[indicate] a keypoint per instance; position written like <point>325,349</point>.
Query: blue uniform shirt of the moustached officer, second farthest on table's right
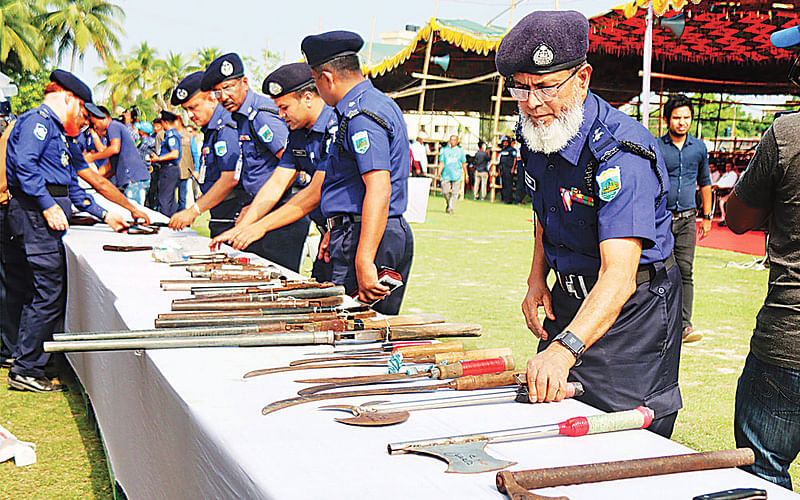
<point>260,143</point>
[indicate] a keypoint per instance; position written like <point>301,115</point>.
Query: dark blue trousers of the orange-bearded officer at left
<point>36,274</point>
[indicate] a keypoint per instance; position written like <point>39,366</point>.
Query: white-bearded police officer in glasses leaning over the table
<point>599,185</point>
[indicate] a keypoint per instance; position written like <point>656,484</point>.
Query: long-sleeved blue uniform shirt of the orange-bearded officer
<point>38,154</point>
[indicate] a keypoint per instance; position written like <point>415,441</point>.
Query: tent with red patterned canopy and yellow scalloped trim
<point>724,47</point>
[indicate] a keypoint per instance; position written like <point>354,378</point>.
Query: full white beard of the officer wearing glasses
<point>551,138</point>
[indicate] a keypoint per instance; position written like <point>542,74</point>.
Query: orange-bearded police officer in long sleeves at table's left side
<point>43,183</point>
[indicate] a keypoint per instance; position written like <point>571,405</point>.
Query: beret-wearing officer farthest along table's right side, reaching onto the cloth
<point>219,157</point>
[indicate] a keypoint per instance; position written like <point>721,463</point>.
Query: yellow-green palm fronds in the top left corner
<point>19,41</point>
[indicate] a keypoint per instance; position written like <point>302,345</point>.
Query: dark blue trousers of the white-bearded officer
<point>636,362</point>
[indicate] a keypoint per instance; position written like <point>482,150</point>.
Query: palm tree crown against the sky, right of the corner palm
<point>76,24</point>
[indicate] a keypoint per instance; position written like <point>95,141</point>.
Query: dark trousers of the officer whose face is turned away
<point>395,251</point>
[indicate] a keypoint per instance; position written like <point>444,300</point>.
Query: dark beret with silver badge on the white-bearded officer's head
<point>544,42</point>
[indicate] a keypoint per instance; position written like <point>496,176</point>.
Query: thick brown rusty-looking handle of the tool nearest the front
<point>624,469</point>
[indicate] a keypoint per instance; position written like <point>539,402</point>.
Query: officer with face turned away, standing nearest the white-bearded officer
<point>363,190</point>
